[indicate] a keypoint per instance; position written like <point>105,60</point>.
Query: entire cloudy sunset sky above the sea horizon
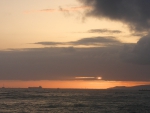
<point>74,43</point>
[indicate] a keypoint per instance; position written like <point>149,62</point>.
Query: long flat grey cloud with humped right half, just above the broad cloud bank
<point>99,41</point>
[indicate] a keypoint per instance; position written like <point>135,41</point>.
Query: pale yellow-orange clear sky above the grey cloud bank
<point>26,22</point>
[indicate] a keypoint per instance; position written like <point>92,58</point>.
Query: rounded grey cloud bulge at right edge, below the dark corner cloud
<point>140,53</point>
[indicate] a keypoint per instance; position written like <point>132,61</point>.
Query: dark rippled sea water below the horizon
<point>74,101</point>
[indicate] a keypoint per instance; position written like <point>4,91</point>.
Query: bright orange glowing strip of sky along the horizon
<point>76,84</point>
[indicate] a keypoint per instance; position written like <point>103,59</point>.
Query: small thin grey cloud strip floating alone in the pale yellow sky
<point>104,31</point>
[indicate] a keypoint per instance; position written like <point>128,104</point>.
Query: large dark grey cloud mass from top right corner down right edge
<point>135,14</point>
